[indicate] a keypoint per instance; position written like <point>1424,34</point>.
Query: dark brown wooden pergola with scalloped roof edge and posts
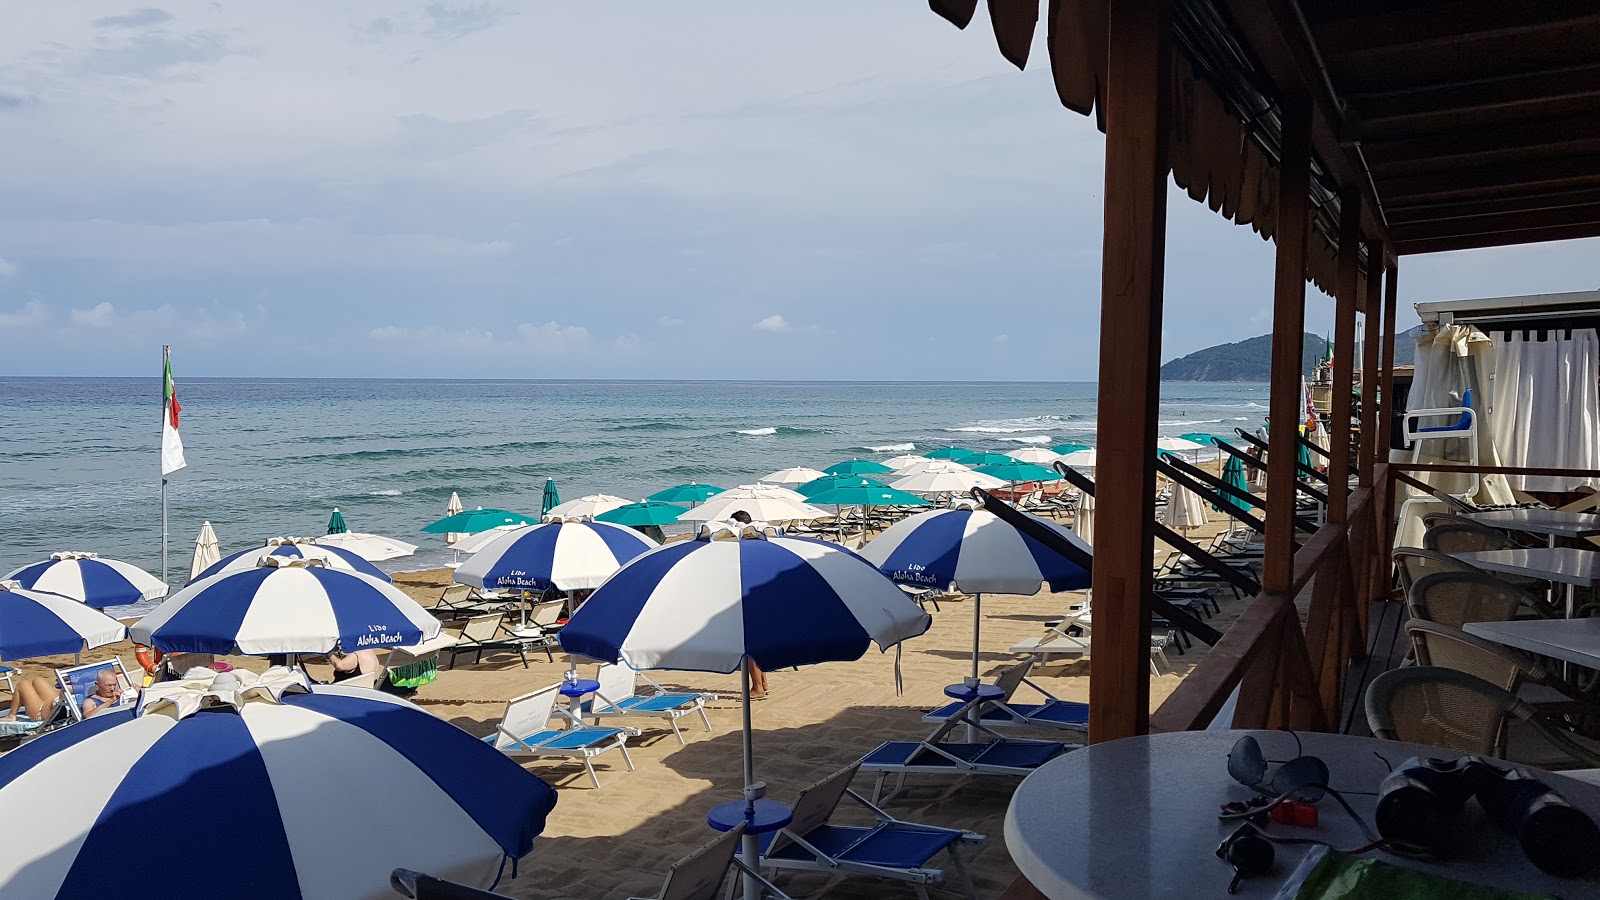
<point>1351,134</point>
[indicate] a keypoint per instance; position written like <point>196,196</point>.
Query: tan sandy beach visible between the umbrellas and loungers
<point>622,840</point>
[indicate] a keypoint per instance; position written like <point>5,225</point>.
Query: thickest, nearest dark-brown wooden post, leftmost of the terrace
<point>1132,271</point>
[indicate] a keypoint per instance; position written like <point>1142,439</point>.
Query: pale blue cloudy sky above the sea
<point>628,190</point>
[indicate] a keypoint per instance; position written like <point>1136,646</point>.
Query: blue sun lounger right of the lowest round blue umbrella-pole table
<point>889,848</point>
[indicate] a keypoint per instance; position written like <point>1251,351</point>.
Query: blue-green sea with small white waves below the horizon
<point>274,457</point>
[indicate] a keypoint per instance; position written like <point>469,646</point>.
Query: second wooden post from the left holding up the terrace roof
<point>1289,337</point>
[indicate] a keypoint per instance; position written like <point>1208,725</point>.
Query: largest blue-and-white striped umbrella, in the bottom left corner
<point>319,794</point>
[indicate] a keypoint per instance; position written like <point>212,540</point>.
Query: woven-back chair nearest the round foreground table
<point>1465,713</point>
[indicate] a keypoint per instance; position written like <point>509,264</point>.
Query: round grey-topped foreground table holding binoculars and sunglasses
<point>1138,819</point>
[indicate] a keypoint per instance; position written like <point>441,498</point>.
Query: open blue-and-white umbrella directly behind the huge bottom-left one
<point>286,606</point>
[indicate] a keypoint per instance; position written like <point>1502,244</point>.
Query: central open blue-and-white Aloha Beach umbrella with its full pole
<point>710,606</point>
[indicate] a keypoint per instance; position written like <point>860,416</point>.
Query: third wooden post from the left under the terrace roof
<point>1348,291</point>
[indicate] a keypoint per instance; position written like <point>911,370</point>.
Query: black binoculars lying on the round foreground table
<point>1418,803</point>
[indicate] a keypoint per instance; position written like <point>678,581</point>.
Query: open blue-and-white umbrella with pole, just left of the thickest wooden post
<point>975,552</point>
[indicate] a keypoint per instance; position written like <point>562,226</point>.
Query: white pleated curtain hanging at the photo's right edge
<point>1546,406</point>
